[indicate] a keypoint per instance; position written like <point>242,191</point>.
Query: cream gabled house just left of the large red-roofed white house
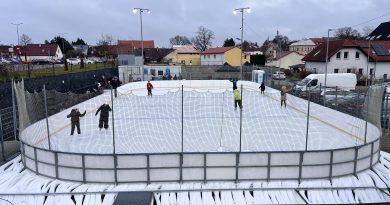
<point>285,59</point>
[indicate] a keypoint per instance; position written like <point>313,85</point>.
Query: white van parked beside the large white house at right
<point>346,81</point>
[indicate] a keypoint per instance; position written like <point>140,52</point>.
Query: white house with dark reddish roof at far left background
<point>41,51</point>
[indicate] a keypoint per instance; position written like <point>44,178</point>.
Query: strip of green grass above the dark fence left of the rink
<point>49,71</point>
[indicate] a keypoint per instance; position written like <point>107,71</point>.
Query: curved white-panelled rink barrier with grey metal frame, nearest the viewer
<point>200,166</point>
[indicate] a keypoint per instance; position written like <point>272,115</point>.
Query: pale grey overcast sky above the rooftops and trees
<point>89,19</point>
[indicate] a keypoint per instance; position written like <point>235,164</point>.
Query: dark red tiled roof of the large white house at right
<point>319,53</point>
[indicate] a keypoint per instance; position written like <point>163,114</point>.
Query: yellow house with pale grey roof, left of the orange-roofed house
<point>184,55</point>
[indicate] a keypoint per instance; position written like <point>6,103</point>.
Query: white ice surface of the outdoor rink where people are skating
<point>145,124</point>
